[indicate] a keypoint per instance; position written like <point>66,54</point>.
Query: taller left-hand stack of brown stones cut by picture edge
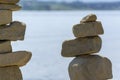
<point>11,31</point>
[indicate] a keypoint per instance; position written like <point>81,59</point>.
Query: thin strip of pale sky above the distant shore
<point>84,0</point>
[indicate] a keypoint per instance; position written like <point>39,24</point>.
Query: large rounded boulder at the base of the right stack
<point>90,67</point>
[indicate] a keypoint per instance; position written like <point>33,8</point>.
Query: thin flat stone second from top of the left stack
<point>12,7</point>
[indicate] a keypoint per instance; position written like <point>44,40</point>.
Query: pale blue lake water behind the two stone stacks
<point>47,30</point>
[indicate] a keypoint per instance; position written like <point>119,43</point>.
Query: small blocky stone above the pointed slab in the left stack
<point>5,47</point>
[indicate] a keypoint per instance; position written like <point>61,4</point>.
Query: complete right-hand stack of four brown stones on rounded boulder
<point>87,65</point>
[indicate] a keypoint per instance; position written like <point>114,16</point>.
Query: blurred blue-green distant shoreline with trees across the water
<point>44,5</point>
